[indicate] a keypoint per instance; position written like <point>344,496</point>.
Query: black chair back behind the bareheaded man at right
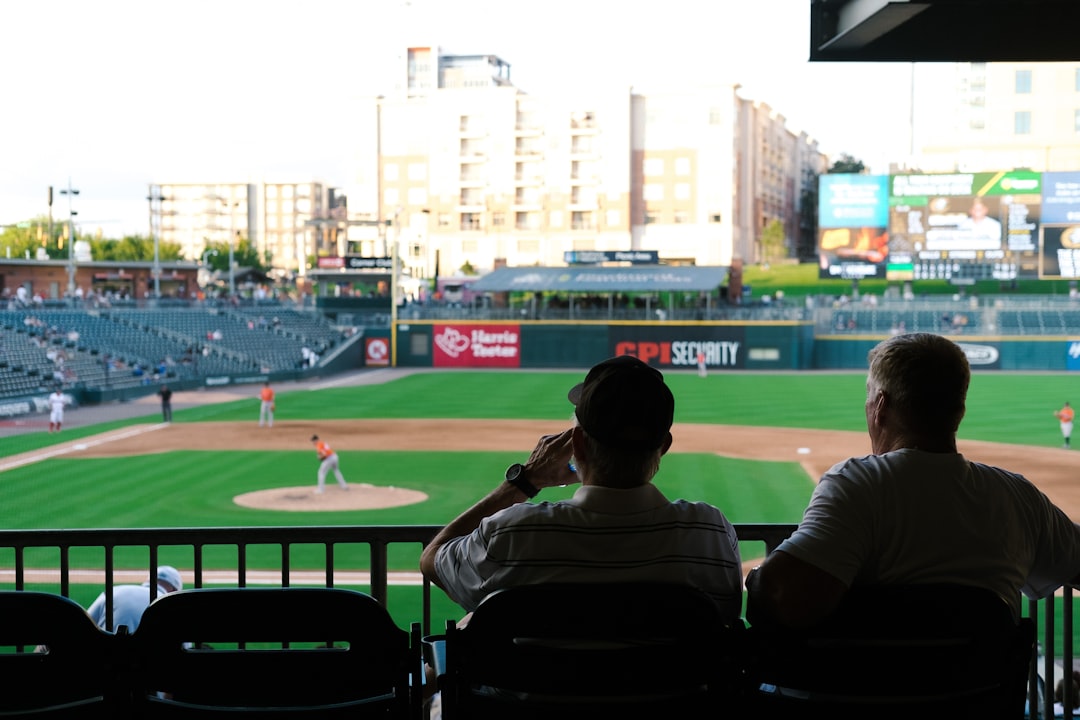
<point>917,651</point>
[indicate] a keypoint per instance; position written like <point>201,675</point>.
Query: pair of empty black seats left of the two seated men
<point>263,653</point>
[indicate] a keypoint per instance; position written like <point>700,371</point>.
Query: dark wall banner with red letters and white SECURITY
<point>677,348</point>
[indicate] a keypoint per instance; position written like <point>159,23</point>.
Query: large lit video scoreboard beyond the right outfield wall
<point>960,227</point>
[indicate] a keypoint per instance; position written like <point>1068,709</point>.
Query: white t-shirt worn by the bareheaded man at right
<point>914,518</point>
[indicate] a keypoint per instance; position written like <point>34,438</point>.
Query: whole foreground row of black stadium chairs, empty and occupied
<point>566,651</point>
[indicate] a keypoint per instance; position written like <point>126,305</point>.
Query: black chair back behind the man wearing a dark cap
<point>570,651</point>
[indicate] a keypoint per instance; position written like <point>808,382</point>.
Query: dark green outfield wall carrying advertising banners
<point>765,346</point>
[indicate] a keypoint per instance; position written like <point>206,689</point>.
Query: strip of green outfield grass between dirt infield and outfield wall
<point>1003,407</point>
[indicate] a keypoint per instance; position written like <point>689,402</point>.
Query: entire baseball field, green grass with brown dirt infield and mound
<point>420,447</point>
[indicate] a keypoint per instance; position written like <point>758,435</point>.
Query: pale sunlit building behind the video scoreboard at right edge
<point>1001,116</point>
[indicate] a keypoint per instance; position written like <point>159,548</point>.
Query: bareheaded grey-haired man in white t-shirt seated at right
<point>885,519</point>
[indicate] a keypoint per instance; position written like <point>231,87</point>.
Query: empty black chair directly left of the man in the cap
<point>268,653</point>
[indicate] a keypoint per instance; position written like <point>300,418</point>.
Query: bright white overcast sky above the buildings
<point>117,94</point>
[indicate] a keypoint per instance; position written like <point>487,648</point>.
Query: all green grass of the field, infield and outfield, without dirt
<point>196,488</point>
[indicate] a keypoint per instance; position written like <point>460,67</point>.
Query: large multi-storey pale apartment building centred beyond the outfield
<point>471,171</point>
